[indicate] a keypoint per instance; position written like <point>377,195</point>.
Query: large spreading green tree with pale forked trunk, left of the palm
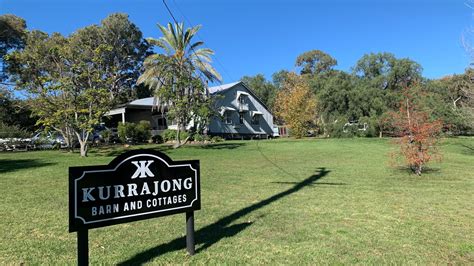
<point>74,80</point>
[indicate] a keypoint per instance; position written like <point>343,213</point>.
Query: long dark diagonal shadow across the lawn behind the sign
<point>213,233</point>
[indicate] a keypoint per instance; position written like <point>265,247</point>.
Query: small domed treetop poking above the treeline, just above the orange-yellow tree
<point>315,62</point>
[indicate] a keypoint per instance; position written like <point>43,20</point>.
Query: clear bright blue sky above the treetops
<point>251,37</point>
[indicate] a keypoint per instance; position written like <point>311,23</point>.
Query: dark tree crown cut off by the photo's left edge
<point>12,36</point>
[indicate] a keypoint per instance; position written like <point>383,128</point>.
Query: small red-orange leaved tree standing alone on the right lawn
<point>418,134</point>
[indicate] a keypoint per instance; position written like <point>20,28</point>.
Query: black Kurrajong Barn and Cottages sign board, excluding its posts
<point>136,185</point>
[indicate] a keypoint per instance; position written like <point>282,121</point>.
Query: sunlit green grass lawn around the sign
<point>284,201</point>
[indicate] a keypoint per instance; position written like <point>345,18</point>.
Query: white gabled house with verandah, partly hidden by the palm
<point>240,113</point>
